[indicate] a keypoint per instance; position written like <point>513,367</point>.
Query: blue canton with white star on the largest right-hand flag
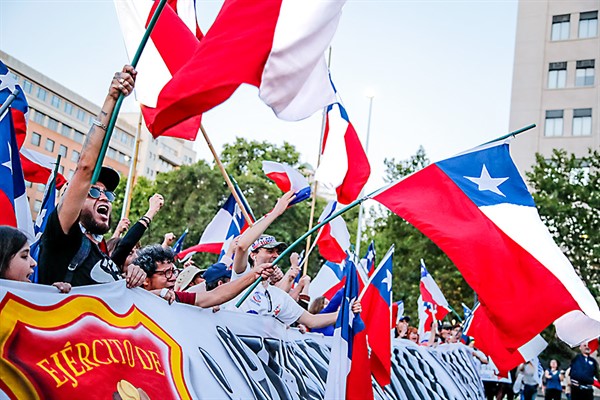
<point>488,177</point>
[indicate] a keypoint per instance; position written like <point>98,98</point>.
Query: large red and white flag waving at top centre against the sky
<point>277,46</point>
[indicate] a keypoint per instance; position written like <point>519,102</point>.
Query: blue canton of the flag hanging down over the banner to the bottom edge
<point>349,327</point>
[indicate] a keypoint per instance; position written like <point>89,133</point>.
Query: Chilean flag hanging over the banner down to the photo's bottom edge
<point>349,375</point>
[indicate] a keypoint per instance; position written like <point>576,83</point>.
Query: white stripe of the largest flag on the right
<point>524,226</point>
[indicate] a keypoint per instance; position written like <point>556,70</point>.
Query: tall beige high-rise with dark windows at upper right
<point>534,94</point>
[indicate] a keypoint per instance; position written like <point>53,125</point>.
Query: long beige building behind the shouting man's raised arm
<point>60,119</point>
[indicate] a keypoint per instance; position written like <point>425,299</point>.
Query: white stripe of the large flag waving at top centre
<point>297,64</point>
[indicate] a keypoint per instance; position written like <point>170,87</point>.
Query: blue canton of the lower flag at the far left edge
<point>11,174</point>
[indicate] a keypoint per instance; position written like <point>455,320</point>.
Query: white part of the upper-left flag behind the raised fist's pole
<point>153,74</point>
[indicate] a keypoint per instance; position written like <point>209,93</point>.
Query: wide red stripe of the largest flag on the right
<point>510,282</point>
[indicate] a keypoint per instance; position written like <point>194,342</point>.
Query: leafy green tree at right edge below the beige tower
<point>566,190</point>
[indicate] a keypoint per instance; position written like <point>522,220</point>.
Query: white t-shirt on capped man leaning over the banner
<point>271,301</point>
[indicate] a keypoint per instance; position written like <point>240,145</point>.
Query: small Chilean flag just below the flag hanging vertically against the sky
<point>333,239</point>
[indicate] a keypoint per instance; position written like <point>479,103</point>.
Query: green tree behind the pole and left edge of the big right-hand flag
<point>411,245</point>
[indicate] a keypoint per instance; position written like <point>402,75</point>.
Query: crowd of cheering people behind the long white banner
<point>74,252</point>
